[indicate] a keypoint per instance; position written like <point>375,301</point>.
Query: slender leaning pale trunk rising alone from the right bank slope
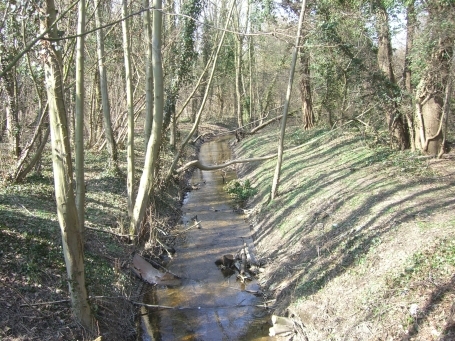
<point>276,177</point>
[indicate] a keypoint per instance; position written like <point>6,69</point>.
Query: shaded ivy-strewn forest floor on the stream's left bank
<point>34,298</point>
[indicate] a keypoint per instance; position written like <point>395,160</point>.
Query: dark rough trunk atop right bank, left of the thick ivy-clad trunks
<point>400,139</point>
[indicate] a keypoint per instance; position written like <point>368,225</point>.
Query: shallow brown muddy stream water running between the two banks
<point>214,305</point>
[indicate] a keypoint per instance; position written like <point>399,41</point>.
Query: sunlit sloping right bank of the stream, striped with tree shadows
<point>360,242</point>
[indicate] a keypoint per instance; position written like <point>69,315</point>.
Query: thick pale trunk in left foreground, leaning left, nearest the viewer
<point>63,173</point>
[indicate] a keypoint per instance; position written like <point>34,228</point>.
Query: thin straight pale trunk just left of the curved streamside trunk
<point>130,105</point>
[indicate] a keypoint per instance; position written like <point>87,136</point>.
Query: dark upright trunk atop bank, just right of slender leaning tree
<point>305,91</point>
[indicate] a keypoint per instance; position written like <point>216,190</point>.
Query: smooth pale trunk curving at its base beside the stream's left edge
<point>153,147</point>
